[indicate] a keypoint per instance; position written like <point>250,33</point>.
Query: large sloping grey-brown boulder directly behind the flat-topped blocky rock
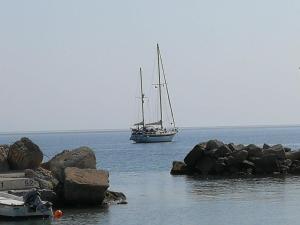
<point>83,158</point>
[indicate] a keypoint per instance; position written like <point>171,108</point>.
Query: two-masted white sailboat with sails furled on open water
<point>154,131</point>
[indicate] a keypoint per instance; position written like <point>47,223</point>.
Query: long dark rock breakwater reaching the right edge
<point>214,158</point>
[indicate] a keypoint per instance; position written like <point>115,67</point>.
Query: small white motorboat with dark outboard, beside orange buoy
<point>14,207</point>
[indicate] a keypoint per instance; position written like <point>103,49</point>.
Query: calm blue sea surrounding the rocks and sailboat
<point>142,173</point>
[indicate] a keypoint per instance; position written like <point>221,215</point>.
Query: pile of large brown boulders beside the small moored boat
<point>69,178</point>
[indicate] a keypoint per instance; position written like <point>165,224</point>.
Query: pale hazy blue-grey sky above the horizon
<point>73,65</point>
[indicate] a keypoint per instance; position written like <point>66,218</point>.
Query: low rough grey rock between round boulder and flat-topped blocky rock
<point>44,177</point>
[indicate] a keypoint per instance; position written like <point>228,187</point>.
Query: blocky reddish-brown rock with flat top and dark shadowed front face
<point>85,186</point>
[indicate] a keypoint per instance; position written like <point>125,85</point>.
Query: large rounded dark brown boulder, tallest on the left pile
<point>24,154</point>
